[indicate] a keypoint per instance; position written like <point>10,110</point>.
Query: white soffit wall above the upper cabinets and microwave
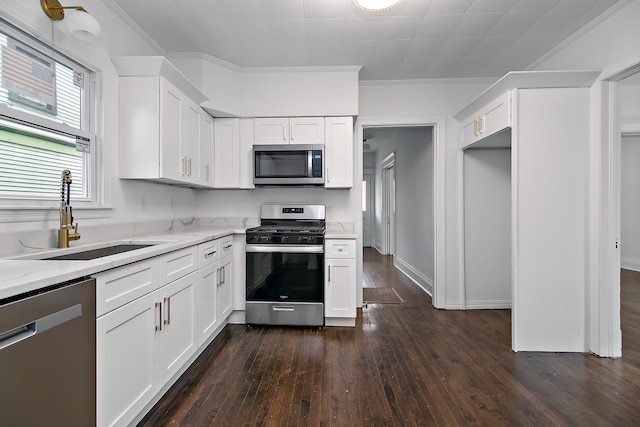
<point>272,92</point>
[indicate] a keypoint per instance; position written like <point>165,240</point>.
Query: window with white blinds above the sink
<point>45,120</point>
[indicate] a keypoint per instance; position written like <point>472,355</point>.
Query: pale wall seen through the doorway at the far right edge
<point>630,203</point>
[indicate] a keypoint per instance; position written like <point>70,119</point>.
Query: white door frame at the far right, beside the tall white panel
<point>603,302</point>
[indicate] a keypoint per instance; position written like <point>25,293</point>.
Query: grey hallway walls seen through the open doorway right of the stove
<point>403,219</point>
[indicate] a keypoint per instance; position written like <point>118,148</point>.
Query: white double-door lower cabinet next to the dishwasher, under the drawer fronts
<point>141,345</point>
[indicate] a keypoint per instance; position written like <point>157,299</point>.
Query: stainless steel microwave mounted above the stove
<point>288,164</point>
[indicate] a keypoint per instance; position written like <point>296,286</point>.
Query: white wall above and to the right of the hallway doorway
<point>418,101</point>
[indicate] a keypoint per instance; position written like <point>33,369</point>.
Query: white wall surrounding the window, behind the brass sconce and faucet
<point>117,39</point>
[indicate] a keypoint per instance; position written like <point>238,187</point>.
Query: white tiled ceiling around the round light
<point>417,39</point>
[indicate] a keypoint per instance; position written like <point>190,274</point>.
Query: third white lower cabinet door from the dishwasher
<point>208,319</point>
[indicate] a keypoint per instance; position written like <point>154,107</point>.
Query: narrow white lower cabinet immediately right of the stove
<point>340,282</point>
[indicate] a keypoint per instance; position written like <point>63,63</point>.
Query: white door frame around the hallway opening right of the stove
<point>438,122</point>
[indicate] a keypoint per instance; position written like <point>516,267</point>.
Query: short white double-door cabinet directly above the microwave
<point>295,130</point>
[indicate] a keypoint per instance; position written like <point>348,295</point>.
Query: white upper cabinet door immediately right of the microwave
<point>338,152</point>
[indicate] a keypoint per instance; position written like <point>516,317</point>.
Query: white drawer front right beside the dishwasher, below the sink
<point>117,287</point>
